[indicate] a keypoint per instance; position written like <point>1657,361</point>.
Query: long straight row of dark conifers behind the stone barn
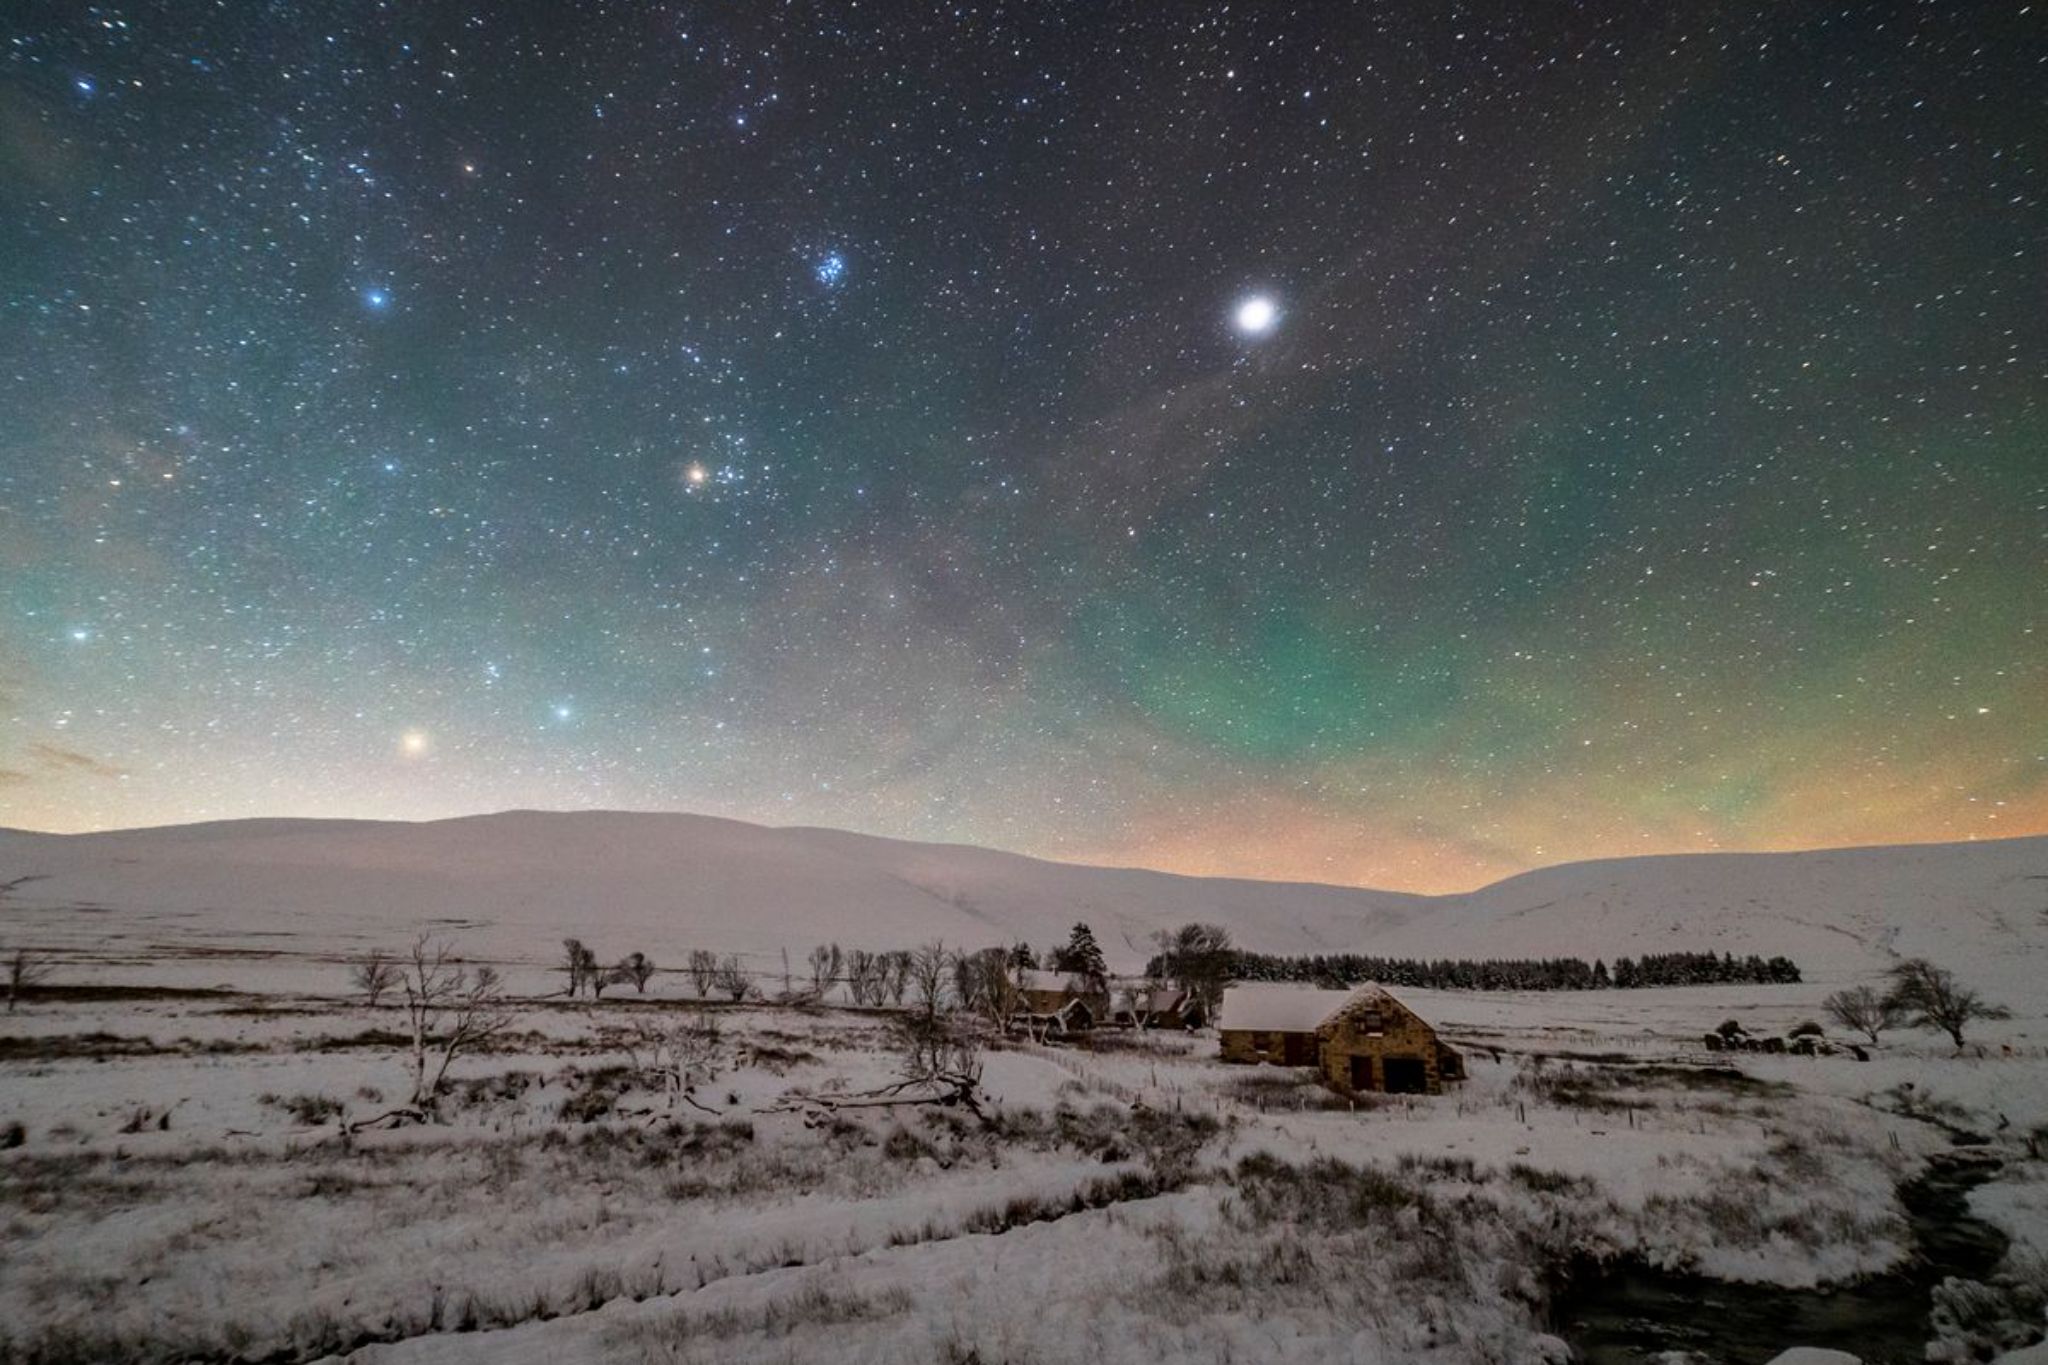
<point>1514,973</point>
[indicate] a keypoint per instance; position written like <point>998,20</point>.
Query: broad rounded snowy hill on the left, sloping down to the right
<point>521,881</point>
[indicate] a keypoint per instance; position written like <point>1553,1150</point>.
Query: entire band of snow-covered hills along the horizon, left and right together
<point>517,883</point>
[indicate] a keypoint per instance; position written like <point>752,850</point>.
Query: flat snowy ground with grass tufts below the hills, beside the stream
<point>181,1188</point>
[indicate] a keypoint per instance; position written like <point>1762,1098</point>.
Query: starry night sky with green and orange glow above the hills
<point>1369,443</point>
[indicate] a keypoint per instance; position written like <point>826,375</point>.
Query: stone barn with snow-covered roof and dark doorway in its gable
<point>1359,1041</point>
